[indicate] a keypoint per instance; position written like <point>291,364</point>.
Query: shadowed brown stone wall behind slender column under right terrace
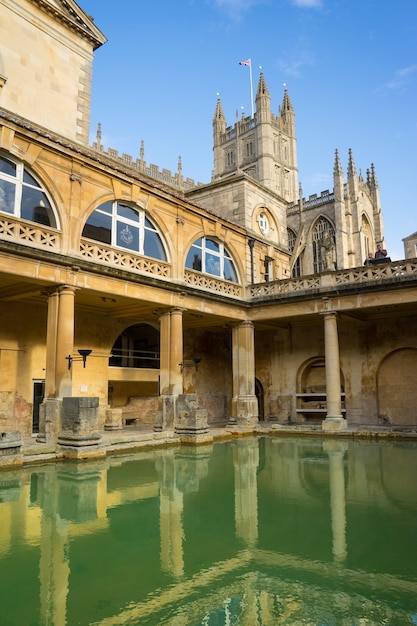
<point>377,368</point>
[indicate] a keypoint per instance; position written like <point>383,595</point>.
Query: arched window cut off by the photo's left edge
<point>22,196</point>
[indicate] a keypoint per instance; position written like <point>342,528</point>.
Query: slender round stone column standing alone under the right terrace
<point>334,419</point>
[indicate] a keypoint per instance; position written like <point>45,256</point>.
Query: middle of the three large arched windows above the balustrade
<point>119,224</point>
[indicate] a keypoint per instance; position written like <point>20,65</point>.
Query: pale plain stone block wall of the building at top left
<point>49,82</point>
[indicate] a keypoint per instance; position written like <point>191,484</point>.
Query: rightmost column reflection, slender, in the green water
<point>336,452</point>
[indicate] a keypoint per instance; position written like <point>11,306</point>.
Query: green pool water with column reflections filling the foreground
<point>251,532</point>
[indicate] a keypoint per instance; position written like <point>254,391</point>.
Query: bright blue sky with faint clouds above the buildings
<point>350,67</point>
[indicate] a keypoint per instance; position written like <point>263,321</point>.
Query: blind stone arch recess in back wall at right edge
<point>396,388</point>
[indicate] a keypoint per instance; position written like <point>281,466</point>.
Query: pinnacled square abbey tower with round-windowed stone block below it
<point>255,179</point>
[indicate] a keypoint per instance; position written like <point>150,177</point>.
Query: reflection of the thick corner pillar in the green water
<point>246,461</point>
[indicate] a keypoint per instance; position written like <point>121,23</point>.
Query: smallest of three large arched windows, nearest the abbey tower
<point>211,257</point>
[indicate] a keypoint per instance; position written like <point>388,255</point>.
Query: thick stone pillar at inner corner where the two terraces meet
<point>244,402</point>
